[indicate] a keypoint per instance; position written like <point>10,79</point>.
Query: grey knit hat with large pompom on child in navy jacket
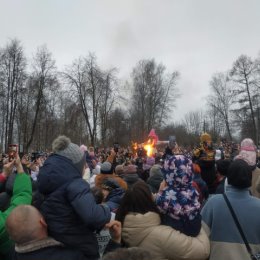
<point>63,146</point>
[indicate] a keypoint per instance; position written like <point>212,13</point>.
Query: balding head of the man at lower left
<point>26,224</point>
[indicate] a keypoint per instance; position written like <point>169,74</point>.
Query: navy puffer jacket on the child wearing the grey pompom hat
<point>69,207</point>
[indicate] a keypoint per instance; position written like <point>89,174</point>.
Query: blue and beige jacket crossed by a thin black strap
<point>226,242</point>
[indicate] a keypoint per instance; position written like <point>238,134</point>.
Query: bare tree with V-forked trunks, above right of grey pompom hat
<point>91,85</point>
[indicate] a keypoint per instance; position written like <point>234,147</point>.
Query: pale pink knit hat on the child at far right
<point>247,152</point>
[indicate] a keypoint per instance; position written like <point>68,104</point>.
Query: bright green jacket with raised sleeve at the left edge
<point>22,194</point>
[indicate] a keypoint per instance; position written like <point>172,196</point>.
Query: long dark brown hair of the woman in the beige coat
<point>137,199</point>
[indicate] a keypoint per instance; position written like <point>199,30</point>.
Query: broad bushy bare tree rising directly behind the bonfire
<point>154,94</point>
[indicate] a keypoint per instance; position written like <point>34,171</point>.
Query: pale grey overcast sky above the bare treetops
<point>195,37</point>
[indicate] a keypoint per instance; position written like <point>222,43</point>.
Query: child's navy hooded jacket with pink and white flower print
<point>179,199</point>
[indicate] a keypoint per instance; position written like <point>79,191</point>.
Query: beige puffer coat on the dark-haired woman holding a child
<point>163,242</point>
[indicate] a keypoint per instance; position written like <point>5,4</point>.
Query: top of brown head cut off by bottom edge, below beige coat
<point>132,253</point>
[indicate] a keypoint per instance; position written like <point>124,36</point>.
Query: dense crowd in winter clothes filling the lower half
<point>83,203</point>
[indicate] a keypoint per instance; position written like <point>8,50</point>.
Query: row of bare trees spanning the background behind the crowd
<point>93,106</point>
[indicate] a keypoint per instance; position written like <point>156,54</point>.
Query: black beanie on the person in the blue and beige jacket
<point>239,174</point>
